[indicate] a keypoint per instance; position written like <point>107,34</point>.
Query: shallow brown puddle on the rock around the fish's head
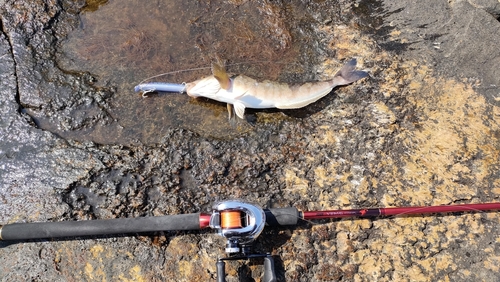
<point>125,42</point>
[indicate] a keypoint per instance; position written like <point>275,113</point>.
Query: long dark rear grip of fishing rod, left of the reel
<point>42,230</point>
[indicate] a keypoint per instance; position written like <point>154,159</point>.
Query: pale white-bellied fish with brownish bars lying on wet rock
<point>241,92</point>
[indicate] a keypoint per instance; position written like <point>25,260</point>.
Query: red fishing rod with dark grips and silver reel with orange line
<point>238,221</point>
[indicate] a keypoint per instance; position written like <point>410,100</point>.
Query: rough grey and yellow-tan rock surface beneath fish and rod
<point>422,130</point>
